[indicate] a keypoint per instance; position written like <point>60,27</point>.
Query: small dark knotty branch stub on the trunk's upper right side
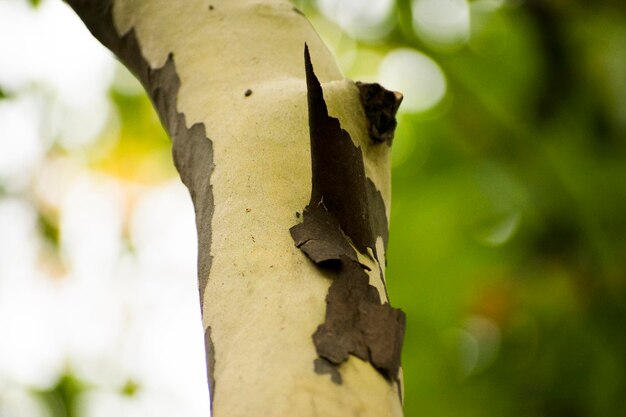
<point>380,106</point>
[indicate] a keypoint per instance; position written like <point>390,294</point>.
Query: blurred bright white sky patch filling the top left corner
<point>50,49</point>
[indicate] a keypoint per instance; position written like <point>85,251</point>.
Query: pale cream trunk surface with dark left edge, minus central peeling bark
<point>227,78</point>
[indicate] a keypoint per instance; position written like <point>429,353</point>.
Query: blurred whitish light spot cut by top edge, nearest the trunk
<point>362,20</point>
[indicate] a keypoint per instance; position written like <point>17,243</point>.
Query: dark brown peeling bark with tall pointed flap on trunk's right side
<point>346,209</point>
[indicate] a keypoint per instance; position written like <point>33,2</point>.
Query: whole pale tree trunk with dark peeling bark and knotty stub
<point>290,184</point>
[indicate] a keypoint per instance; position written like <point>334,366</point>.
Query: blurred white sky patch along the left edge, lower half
<point>27,313</point>
